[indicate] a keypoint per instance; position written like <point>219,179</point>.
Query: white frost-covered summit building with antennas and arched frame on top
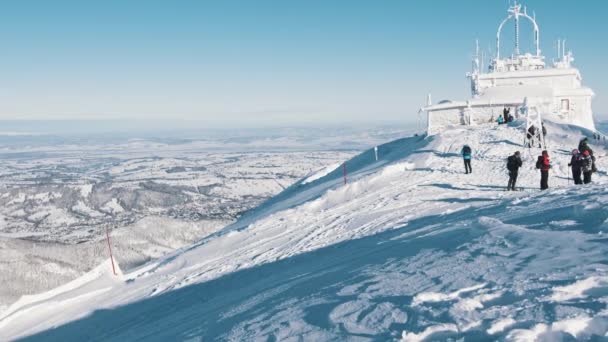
<point>522,82</point>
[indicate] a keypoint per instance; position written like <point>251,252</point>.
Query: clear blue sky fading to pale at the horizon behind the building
<point>259,62</point>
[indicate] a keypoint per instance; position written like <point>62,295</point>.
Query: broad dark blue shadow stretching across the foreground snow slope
<point>201,310</point>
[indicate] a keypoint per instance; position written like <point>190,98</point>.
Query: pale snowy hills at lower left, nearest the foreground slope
<point>29,267</point>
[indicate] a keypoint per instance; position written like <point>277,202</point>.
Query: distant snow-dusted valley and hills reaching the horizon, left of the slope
<point>55,206</point>
